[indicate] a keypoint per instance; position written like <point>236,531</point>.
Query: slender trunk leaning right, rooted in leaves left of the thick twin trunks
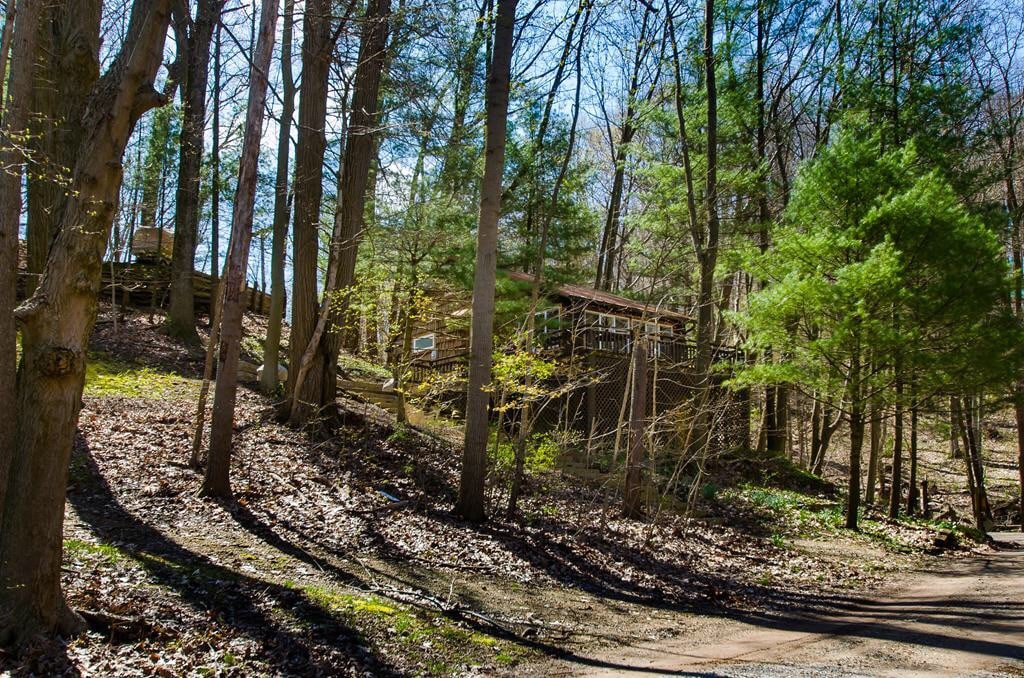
<point>218,482</point>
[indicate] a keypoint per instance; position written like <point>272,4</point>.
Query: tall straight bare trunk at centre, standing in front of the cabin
<point>471,504</point>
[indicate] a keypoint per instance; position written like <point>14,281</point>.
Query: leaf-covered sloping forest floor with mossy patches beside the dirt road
<point>316,569</point>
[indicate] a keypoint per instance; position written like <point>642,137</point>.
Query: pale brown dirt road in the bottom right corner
<point>965,621</point>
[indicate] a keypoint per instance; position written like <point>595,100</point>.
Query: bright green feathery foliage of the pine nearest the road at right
<point>877,257</point>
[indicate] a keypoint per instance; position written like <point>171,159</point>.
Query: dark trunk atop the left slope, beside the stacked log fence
<point>182,312</point>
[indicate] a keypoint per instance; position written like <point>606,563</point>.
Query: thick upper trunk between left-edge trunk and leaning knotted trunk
<point>67,69</point>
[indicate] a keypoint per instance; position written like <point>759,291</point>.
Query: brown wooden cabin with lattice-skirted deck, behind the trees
<point>595,331</point>
